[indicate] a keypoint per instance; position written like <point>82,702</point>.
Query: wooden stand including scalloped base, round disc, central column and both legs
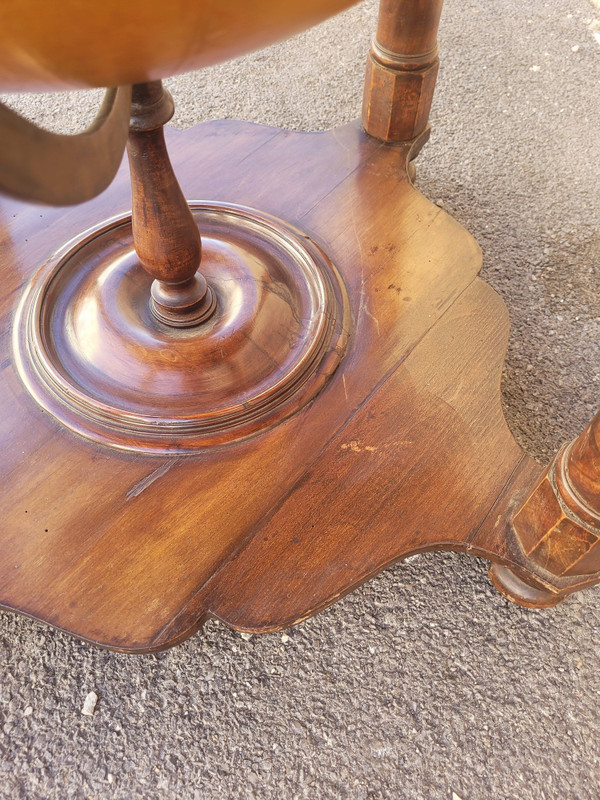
<point>244,408</point>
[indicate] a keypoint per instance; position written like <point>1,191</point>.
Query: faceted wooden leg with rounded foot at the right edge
<point>558,527</point>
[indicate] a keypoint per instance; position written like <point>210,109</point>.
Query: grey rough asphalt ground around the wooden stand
<point>425,682</point>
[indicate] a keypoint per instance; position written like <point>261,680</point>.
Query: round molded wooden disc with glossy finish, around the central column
<point>91,352</point>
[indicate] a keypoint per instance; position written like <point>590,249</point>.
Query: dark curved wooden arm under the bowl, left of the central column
<point>45,167</point>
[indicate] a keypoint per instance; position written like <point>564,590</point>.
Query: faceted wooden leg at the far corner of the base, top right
<point>402,68</point>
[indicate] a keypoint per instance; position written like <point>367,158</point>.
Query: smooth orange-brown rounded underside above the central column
<point>72,43</point>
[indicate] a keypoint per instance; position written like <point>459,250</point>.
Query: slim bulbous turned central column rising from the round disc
<point>165,235</point>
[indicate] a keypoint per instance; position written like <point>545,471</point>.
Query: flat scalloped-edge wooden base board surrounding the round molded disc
<point>403,450</point>
